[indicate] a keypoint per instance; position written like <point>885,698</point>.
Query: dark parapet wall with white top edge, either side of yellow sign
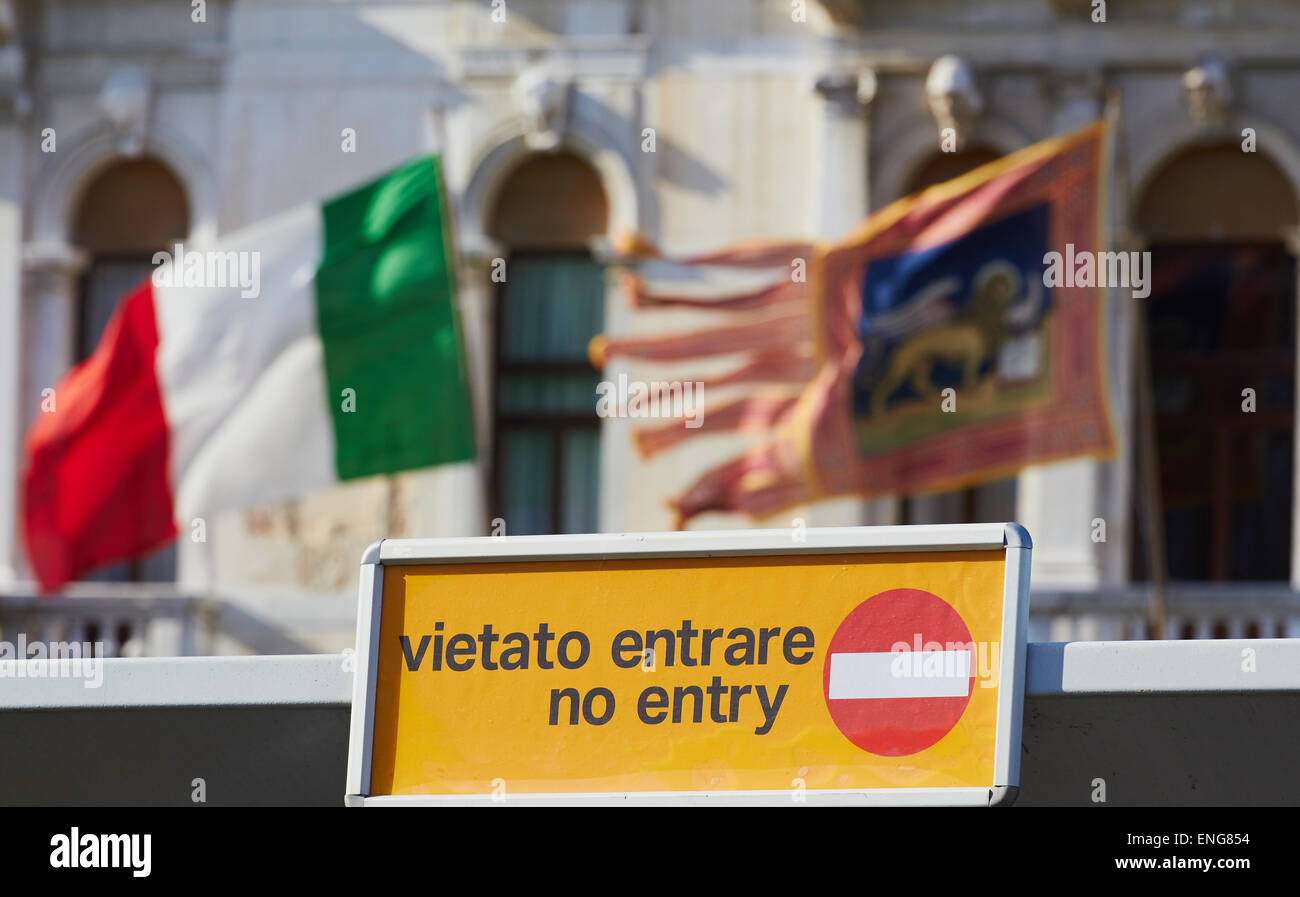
<point>1176,723</point>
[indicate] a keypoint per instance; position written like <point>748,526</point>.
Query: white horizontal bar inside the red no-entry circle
<point>900,675</point>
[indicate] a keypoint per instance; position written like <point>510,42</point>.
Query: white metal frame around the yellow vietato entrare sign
<point>831,540</point>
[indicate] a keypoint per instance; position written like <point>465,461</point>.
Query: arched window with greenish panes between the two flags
<point>549,306</point>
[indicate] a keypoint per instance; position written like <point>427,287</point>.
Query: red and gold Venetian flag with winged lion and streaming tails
<point>929,349</point>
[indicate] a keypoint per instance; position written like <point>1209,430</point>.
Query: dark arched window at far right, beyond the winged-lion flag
<point>1221,320</point>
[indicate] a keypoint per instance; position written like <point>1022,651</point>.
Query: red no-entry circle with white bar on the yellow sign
<point>891,701</point>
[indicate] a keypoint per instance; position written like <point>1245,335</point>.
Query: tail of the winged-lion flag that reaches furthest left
<point>768,335</point>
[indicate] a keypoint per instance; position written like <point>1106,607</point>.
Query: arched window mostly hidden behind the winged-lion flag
<point>987,502</point>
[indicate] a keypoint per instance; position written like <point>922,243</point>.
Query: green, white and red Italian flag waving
<point>215,389</point>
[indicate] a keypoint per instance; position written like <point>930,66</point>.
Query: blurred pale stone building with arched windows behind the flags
<point>129,125</point>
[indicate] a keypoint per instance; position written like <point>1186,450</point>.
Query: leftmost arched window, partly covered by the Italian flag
<point>127,214</point>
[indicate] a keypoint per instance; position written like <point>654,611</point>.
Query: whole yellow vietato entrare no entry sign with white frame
<point>842,665</point>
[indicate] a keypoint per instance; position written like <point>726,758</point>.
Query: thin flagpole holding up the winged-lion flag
<point>1149,457</point>
